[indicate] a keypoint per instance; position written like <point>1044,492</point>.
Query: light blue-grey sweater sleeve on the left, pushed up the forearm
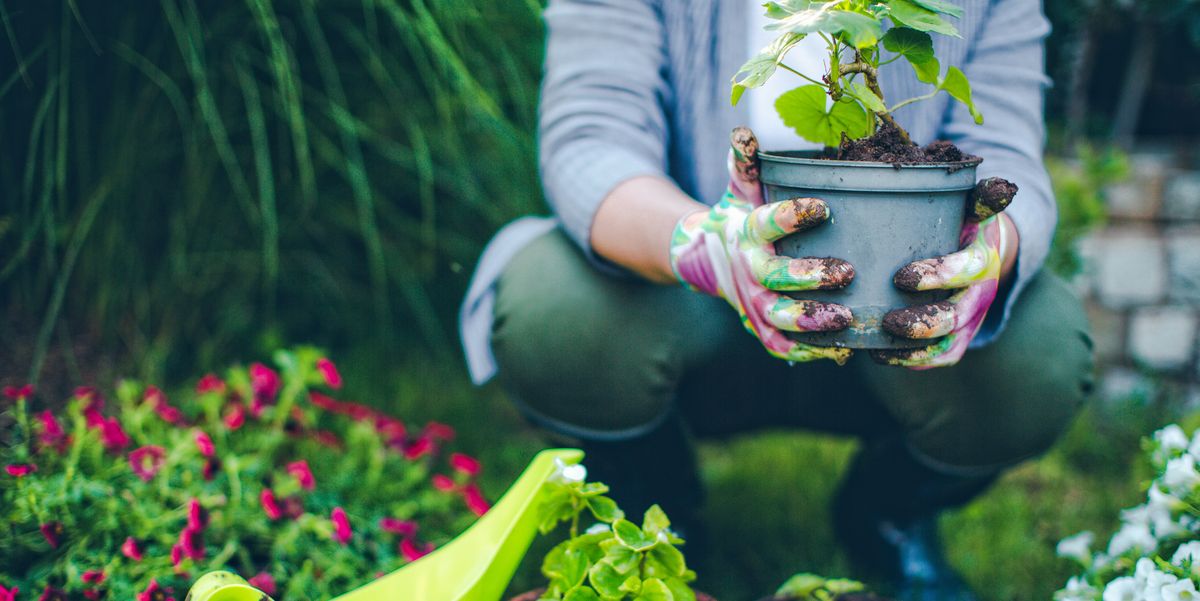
<point>602,117</point>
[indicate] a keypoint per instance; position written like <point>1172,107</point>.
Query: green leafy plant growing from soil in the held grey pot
<point>847,101</point>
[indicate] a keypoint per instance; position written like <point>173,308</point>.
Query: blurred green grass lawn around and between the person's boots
<point>769,492</point>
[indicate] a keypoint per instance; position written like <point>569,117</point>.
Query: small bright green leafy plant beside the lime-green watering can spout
<point>616,560</point>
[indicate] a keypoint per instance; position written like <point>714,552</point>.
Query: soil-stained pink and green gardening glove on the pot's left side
<point>729,251</point>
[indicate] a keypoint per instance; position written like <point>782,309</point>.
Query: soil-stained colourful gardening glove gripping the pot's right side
<point>974,273</point>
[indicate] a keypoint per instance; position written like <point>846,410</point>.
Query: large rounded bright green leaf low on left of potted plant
<point>805,110</point>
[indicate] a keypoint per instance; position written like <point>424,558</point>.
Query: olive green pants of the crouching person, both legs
<point>598,357</point>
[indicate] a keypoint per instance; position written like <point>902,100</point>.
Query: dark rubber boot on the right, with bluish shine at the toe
<point>886,516</point>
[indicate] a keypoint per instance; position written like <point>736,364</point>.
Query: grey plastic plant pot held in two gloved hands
<point>883,218</point>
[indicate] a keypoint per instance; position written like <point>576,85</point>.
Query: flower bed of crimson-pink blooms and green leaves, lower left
<point>260,471</point>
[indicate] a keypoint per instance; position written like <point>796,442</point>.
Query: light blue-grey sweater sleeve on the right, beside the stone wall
<point>1007,75</point>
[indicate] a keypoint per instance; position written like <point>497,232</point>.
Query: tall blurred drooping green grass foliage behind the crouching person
<point>181,177</point>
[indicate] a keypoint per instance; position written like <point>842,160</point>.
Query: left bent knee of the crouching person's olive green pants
<point>573,348</point>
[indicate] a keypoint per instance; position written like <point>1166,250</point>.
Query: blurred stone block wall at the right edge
<point>1142,279</point>
